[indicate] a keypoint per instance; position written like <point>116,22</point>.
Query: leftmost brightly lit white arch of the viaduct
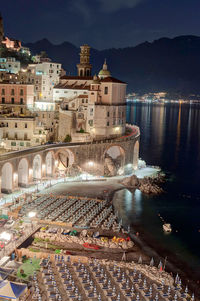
<point>7,178</point>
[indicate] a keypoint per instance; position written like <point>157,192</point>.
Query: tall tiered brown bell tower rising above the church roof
<point>84,68</point>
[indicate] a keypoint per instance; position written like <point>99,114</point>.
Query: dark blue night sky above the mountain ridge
<point>100,23</point>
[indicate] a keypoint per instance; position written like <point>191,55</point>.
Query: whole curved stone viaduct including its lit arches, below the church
<point>22,168</point>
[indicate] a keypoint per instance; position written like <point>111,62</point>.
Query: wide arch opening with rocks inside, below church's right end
<point>114,160</point>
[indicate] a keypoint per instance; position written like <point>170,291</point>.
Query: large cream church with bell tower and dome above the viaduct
<point>90,107</point>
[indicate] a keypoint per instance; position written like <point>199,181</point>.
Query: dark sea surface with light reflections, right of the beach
<point>170,138</point>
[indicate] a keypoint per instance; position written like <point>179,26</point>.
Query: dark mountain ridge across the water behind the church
<point>166,64</point>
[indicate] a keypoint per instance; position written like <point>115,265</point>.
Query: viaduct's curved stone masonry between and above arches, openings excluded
<point>88,157</point>
